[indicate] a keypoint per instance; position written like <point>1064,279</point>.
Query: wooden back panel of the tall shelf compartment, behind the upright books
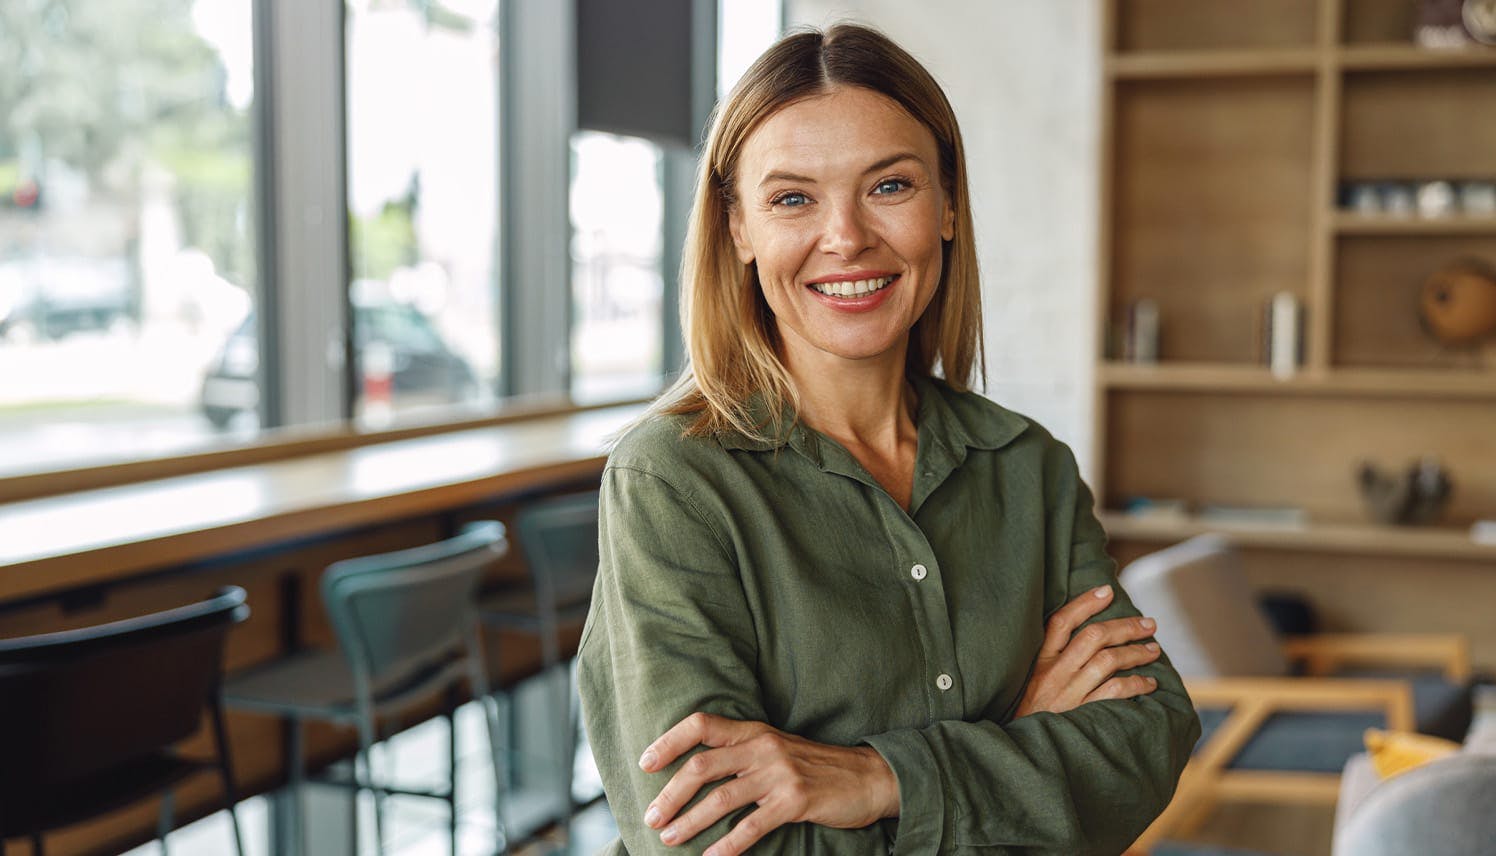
<point>1213,206</point>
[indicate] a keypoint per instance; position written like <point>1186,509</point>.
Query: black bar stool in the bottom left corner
<point>89,718</point>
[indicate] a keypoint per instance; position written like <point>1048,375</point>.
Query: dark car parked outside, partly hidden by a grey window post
<point>423,369</point>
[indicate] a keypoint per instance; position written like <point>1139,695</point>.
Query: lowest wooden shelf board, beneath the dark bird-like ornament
<point>1423,542</point>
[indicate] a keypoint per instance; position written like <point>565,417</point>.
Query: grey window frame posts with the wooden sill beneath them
<point>303,245</point>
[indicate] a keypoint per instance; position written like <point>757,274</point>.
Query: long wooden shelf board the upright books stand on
<point>1359,382</point>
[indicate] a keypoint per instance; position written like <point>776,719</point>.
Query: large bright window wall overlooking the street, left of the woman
<point>150,308</point>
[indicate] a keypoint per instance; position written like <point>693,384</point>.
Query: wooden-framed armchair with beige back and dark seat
<point>1280,716</point>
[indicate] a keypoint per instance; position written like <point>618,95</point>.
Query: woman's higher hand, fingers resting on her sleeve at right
<point>1075,668</point>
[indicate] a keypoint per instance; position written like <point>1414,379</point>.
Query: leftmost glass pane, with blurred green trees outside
<point>128,255</point>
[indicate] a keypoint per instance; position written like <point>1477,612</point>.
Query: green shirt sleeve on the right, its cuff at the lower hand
<point>1088,780</point>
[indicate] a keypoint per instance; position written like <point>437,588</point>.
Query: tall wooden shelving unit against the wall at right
<point>1232,132</point>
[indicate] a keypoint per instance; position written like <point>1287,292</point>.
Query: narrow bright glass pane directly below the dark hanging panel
<point>617,285</point>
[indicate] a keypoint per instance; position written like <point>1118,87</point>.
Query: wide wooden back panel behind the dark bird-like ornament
<point>1263,450</point>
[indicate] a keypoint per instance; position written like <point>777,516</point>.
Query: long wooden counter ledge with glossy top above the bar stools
<point>86,538</point>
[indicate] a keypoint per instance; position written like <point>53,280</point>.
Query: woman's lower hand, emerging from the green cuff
<point>791,779</point>
